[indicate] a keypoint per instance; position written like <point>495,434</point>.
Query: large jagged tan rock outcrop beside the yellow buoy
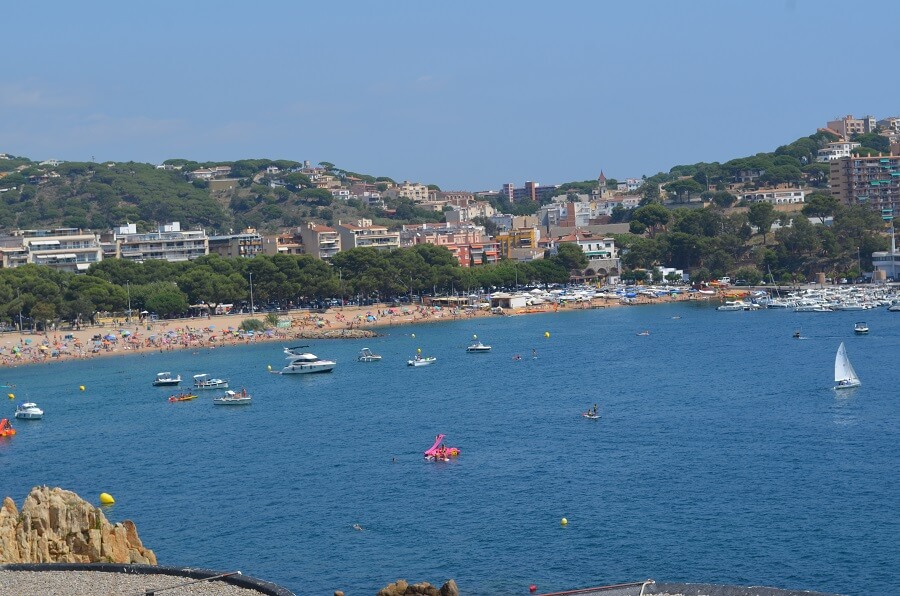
<point>58,526</point>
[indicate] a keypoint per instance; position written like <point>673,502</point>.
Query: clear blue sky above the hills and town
<point>465,94</point>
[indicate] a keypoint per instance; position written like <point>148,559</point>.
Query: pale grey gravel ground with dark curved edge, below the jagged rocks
<point>86,583</point>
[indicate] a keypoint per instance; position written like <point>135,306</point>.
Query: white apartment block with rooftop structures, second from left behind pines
<point>168,243</point>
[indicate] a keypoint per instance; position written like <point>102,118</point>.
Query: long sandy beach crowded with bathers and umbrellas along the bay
<point>134,337</point>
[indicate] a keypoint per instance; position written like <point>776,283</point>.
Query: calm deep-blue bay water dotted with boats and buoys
<point>722,455</point>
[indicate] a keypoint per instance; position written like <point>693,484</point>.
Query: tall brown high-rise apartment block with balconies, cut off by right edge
<point>873,181</point>
